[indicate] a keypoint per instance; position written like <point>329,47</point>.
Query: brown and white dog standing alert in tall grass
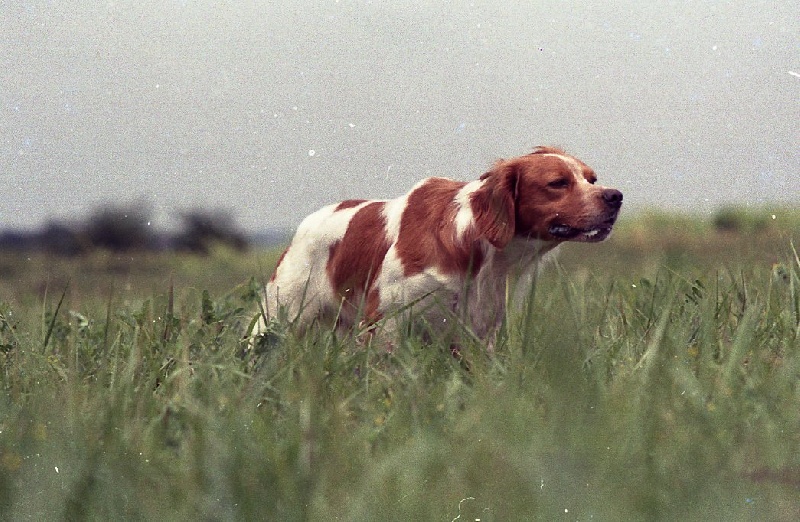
<point>446,247</point>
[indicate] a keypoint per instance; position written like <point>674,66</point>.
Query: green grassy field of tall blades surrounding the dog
<point>654,376</point>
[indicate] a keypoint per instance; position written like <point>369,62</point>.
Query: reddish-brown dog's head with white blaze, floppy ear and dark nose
<point>546,195</point>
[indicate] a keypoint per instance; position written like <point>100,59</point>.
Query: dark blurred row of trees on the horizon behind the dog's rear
<point>127,228</point>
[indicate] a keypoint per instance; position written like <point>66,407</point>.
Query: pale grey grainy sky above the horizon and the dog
<point>271,109</point>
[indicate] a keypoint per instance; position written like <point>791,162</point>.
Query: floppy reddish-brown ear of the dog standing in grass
<point>493,205</point>
